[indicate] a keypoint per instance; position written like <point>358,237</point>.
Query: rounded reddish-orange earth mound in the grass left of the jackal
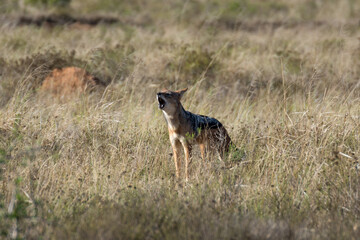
<point>68,81</point>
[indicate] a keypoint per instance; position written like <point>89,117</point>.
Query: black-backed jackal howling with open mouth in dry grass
<point>186,128</point>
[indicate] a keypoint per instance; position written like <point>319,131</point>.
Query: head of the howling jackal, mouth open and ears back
<point>169,101</point>
